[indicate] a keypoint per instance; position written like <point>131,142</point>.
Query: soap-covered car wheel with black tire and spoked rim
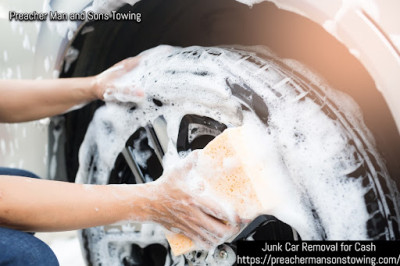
<point>256,84</point>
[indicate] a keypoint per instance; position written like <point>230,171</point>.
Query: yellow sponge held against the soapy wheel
<point>229,159</point>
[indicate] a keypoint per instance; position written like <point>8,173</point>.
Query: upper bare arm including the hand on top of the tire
<point>25,100</point>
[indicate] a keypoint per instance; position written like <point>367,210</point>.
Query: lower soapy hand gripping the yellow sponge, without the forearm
<point>182,207</point>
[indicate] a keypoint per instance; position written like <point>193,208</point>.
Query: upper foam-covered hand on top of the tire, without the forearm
<point>106,88</point>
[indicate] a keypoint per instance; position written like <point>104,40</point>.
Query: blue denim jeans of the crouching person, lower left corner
<point>20,248</point>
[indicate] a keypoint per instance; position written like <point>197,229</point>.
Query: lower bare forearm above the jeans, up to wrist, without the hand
<point>42,205</point>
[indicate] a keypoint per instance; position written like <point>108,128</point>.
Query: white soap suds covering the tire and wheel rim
<point>290,138</point>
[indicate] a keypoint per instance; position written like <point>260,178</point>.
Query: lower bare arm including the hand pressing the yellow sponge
<point>42,205</point>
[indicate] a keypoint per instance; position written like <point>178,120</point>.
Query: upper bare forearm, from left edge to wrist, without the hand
<point>25,100</point>
